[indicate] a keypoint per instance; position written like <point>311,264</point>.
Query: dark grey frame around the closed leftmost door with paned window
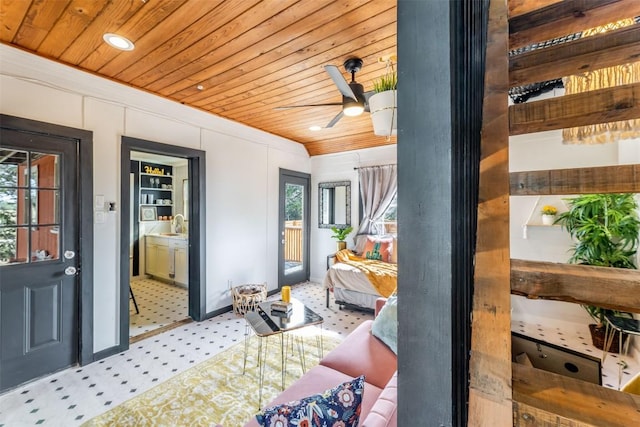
<point>84,147</point>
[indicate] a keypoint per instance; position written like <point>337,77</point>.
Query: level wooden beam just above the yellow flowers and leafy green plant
<point>605,179</point>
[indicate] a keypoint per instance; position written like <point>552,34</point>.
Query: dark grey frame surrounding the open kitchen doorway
<point>197,235</point>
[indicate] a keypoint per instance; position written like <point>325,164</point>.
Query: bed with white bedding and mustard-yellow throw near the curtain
<point>358,282</point>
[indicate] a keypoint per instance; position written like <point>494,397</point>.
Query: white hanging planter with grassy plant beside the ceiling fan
<point>383,103</point>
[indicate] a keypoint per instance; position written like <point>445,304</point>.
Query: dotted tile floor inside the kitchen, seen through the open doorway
<point>160,304</point>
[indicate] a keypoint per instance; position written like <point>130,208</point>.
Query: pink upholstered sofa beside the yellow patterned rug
<point>359,354</point>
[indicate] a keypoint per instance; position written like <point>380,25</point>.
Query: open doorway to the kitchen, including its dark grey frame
<point>162,257</point>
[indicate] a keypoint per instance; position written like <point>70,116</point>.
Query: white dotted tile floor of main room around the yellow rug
<point>73,396</point>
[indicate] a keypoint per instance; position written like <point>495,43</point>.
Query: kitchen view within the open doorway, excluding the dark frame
<point>158,243</point>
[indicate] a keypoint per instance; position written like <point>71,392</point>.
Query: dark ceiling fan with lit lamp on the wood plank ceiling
<point>354,99</point>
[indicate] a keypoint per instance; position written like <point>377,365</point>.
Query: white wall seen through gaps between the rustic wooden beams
<point>545,151</point>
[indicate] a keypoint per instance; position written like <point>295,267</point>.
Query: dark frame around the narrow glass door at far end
<point>306,220</point>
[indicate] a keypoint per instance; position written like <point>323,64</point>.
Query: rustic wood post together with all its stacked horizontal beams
<point>541,398</point>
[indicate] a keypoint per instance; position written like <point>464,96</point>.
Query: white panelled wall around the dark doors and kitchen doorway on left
<point>242,172</point>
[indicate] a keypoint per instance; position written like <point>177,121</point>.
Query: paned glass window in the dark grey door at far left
<point>29,206</point>
